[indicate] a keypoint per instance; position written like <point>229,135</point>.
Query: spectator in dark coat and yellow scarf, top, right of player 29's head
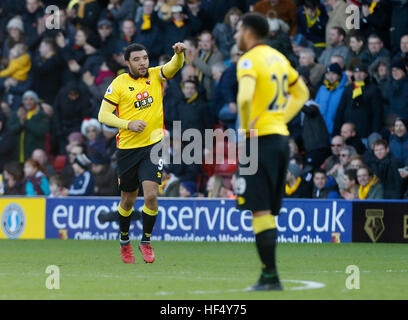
<point>312,19</point>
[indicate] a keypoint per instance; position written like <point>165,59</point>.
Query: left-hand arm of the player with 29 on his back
<point>246,90</point>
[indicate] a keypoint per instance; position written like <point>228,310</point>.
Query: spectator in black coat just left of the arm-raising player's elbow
<point>70,108</point>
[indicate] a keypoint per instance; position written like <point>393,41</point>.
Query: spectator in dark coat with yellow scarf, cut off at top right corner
<point>376,19</point>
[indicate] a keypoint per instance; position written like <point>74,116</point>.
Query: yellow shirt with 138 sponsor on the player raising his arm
<point>138,99</point>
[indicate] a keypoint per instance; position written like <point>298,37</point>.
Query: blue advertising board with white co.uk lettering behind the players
<point>201,220</point>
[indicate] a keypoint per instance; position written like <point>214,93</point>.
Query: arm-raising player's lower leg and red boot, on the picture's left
<point>125,210</point>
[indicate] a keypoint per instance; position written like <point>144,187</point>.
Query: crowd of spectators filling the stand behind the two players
<point>349,141</point>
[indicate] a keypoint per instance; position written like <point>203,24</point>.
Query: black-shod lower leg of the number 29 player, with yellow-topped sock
<point>265,231</point>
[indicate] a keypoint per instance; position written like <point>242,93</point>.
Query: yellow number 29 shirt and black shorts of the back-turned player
<point>270,94</point>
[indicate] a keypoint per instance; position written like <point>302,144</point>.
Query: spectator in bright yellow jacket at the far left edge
<point>18,68</point>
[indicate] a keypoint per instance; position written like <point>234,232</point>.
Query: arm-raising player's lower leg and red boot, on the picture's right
<point>149,215</point>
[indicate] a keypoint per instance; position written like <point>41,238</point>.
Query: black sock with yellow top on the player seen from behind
<point>265,238</point>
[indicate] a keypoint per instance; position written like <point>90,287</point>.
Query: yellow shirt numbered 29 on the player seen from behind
<point>273,74</point>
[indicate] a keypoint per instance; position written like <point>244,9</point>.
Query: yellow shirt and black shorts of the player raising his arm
<point>138,99</point>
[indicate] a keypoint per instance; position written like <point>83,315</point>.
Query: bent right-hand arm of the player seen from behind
<point>299,94</point>
